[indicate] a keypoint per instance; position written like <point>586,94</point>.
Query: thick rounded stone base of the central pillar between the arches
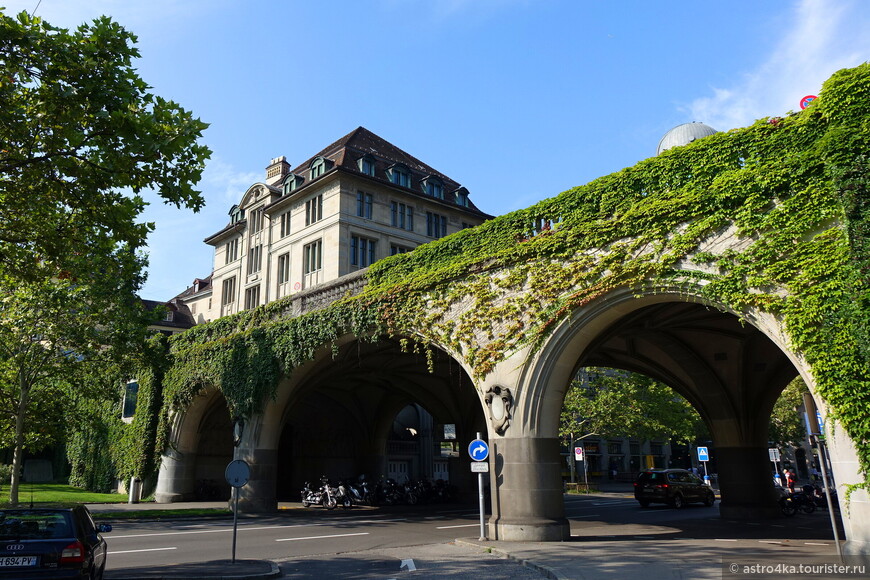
<point>527,502</point>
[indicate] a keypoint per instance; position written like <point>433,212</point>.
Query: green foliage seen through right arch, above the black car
<point>609,403</point>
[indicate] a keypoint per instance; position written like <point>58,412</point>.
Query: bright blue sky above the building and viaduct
<point>517,100</point>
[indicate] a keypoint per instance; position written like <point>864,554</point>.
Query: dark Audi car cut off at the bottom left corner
<point>51,542</point>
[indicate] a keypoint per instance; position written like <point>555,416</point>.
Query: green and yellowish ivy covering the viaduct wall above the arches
<point>792,190</point>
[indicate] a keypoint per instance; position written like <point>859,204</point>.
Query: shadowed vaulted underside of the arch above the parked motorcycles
<point>359,386</point>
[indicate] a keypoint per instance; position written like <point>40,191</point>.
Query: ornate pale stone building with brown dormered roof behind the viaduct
<point>352,203</point>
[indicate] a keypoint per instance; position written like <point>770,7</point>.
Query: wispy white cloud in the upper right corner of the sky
<point>821,37</point>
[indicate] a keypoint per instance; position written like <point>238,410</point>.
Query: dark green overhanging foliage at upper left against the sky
<point>80,139</point>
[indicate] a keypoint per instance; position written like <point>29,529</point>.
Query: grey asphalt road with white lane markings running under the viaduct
<point>385,542</point>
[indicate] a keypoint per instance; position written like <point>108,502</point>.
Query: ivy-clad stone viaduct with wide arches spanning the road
<point>723,269</point>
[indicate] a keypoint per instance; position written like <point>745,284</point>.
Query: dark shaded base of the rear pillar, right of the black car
<point>746,483</point>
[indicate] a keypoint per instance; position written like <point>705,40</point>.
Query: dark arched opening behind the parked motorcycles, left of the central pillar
<point>377,410</point>
